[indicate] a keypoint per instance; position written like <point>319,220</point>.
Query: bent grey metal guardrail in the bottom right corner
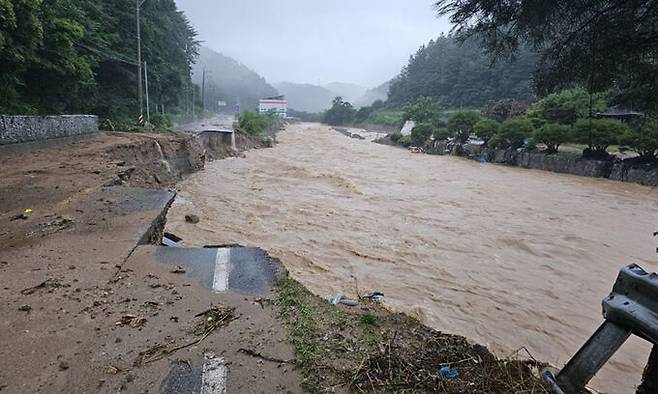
<point>631,309</point>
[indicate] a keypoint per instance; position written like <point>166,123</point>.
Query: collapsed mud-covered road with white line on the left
<point>92,304</point>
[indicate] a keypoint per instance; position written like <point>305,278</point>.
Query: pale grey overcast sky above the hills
<point>317,41</point>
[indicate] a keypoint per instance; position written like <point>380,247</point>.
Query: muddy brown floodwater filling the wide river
<point>504,256</point>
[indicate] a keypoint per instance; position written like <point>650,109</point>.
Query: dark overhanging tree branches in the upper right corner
<point>593,43</point>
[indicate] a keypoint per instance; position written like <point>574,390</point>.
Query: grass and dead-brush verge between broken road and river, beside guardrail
<point>368,349</point>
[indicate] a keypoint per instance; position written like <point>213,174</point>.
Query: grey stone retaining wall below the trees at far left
<point>17,129</point>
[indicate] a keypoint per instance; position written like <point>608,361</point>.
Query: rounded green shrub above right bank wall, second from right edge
<point>601,134</point>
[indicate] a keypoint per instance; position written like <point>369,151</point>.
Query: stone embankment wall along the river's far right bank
<point>644,174</point>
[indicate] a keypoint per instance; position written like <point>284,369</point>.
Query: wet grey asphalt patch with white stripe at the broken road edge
<point>224,268</point>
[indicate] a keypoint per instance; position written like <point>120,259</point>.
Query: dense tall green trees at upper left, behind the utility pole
<point>69,56</point>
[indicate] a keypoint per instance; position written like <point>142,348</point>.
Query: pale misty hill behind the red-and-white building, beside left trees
<point>230,81</point>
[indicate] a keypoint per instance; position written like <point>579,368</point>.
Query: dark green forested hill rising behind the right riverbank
<point>461,76</point>
